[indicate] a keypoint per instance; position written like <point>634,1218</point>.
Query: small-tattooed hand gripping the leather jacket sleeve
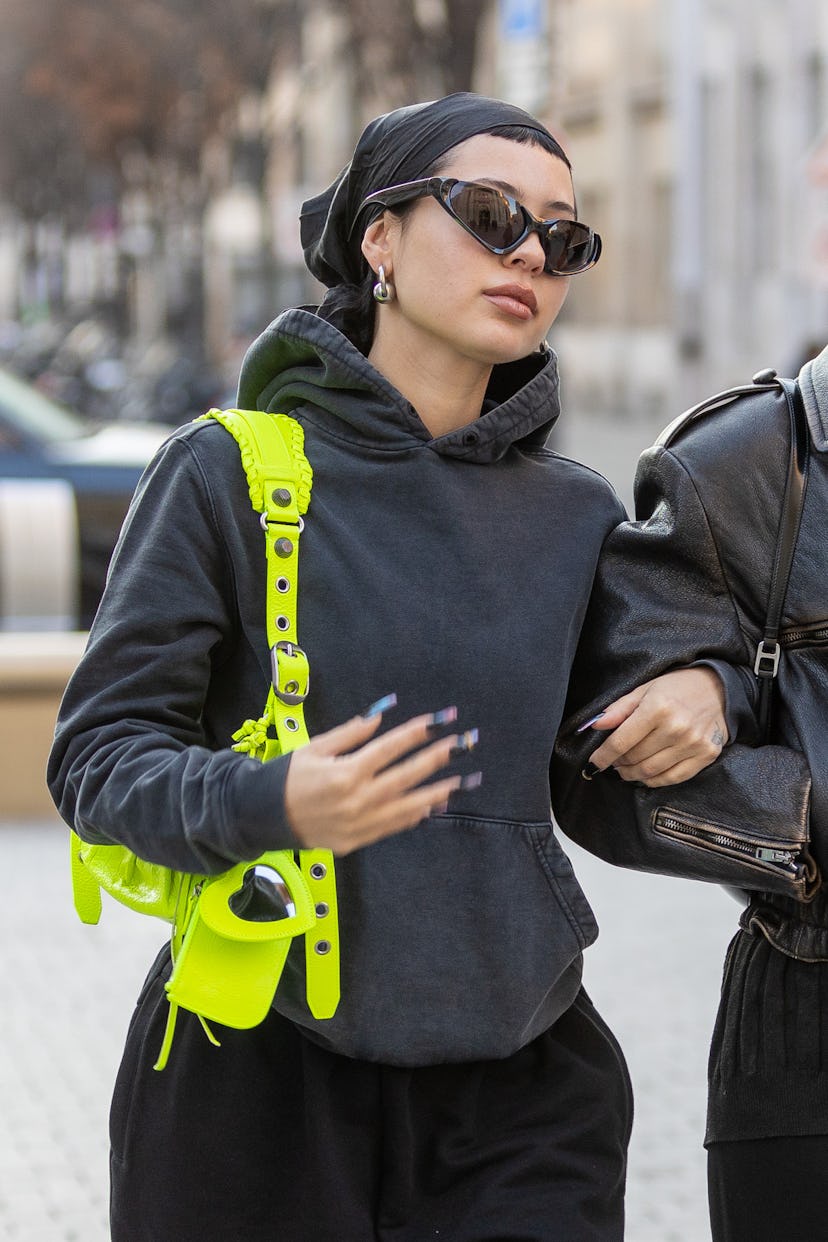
<point>664,732</point>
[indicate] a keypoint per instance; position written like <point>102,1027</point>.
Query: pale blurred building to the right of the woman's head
<point>696,130</point>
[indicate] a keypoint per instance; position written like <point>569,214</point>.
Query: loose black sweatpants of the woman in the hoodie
<point>270,1138</point>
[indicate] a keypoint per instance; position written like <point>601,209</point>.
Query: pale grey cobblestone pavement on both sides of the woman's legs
<point>69,992</point>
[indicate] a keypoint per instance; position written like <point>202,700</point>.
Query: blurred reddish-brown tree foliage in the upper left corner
<point>114,85</point>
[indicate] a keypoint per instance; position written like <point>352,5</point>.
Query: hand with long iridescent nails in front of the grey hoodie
<point>347,789</point>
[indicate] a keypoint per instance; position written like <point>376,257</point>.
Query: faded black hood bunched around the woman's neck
<point>302,361</point>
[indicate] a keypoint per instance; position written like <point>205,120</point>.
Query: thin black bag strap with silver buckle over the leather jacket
<point>769,651</point>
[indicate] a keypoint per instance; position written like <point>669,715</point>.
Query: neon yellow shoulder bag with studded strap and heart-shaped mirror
<point>232,933</point>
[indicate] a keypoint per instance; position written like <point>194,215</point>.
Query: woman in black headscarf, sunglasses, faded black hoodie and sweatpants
<point>466,1087</point>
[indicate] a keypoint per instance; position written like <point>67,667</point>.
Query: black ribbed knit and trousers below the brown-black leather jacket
<point>768,1076</point>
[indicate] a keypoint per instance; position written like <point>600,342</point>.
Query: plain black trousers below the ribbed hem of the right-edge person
<point>769,1190</point>
